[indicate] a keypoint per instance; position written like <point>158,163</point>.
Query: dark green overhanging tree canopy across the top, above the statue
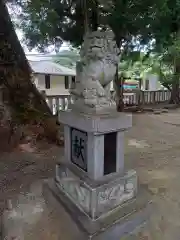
<point>134,22</point>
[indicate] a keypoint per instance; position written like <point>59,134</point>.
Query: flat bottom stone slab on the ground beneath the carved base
<point>123,223</point>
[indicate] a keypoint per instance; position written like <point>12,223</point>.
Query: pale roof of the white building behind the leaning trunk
<point>49,67</point>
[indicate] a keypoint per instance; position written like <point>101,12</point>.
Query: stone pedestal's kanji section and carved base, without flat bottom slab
<point>92,174</point>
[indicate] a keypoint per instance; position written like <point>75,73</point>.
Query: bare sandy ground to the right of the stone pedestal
<point>153,149</point>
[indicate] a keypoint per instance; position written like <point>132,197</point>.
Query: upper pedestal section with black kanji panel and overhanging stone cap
<point>99,139</point>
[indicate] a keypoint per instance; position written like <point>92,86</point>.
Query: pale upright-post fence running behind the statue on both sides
<point>61,102</point>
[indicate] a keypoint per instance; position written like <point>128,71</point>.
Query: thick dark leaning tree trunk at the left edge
<point>15,74</point>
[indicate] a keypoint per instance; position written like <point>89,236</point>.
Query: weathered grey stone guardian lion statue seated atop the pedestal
<point>96,69</point>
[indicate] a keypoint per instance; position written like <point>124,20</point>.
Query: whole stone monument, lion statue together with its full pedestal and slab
<point>100,196</point>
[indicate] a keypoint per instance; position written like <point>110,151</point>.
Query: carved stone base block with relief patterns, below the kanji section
<point>95,198</point>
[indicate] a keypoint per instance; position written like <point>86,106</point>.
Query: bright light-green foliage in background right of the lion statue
<point>136,64</point>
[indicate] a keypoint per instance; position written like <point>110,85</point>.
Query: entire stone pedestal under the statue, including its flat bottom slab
<point>91,182</point>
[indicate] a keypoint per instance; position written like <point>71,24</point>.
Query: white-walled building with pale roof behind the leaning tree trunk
<point>52,78</point>
